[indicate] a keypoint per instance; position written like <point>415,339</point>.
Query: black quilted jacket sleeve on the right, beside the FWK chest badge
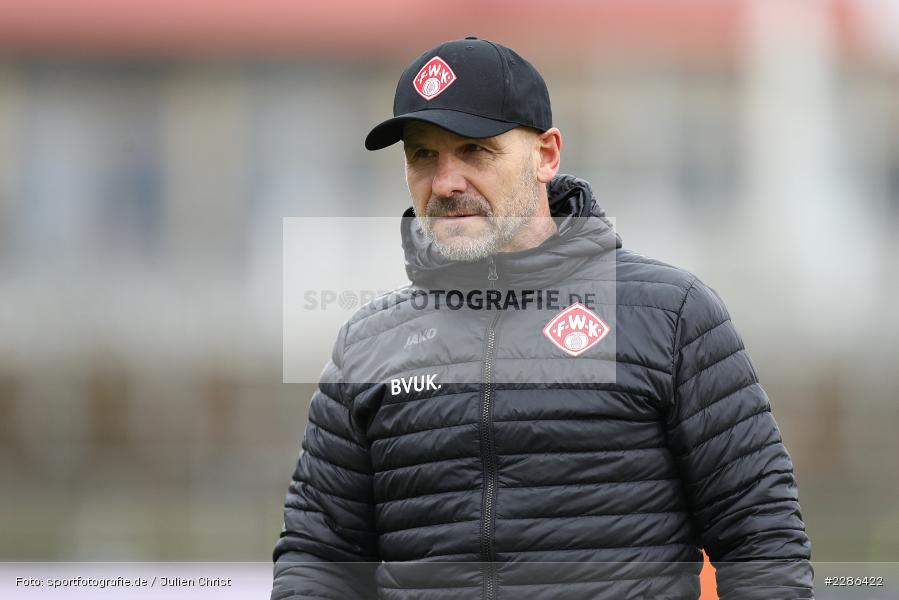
<point>737,475</point>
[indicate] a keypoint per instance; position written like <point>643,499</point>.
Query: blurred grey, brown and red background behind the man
<point>150,150</point>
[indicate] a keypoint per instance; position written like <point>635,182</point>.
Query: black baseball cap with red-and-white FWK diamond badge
<point>473,87</point>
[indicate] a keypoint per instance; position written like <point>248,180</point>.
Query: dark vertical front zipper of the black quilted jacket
<point>488,452</point>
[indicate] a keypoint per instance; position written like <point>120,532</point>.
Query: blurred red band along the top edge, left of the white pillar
<point>170,27</point>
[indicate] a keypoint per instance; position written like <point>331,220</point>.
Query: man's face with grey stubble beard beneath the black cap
<point>472,196</point>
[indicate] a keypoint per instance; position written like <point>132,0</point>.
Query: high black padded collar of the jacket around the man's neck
<point>583,232</point>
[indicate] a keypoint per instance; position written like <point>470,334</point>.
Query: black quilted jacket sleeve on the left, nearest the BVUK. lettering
<point>328,543</point>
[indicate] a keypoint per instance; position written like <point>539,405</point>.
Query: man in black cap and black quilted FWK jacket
<point>540,413</point>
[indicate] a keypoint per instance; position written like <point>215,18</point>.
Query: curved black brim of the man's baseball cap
<point>463,124</point>
